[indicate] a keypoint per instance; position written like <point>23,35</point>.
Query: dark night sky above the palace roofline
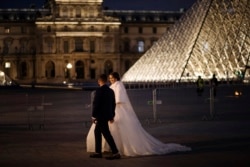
<point>114,4</point>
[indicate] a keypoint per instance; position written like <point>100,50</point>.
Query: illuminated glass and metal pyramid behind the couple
<point>212,37</point>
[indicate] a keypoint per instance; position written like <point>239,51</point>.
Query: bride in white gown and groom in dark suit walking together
<point>115,121</point>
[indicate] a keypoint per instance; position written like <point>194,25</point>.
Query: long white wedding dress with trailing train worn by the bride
<point>130,137</point>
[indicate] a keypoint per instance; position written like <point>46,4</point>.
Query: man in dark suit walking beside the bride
<point>104,111</point>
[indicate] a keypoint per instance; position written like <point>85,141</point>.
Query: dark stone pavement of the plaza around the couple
<point>223,141</point>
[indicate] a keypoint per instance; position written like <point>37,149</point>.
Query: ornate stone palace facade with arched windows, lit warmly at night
<point>76,40</point>
